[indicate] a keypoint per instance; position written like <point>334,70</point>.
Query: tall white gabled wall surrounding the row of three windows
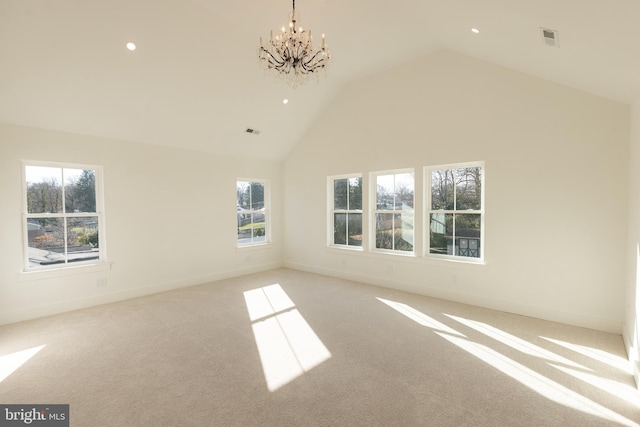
<point>556,186</point>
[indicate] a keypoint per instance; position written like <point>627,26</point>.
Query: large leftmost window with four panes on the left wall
<point>62,210</point>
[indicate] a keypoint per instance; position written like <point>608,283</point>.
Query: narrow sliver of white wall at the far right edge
<point>631,333</point>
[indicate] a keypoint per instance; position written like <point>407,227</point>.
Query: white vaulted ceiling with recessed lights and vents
<point>194,80</point>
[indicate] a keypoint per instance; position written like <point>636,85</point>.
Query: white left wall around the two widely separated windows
<point>170,220</point>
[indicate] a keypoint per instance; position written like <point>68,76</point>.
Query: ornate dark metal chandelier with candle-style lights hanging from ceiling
<point>292,55</point>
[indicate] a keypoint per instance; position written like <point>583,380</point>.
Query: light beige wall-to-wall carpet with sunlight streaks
<point>287,348</point>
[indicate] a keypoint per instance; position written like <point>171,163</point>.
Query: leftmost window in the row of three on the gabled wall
<point>345,216</point>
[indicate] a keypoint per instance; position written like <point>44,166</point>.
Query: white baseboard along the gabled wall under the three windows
<point>569,318</point>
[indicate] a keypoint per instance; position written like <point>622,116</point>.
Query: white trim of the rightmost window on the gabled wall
<point>427,213</point>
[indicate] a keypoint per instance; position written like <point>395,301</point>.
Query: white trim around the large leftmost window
<point>63,269</point>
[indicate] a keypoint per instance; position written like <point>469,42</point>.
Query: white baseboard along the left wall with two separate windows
<point>76,304</point>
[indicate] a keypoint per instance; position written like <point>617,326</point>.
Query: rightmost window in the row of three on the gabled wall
<point>456,210</point>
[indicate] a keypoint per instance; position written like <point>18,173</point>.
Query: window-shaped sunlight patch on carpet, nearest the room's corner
<point>287,345</point>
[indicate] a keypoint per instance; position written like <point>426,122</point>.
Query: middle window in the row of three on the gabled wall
<point>394,210</point>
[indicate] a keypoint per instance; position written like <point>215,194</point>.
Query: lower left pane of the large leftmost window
<point>46,241</point>
